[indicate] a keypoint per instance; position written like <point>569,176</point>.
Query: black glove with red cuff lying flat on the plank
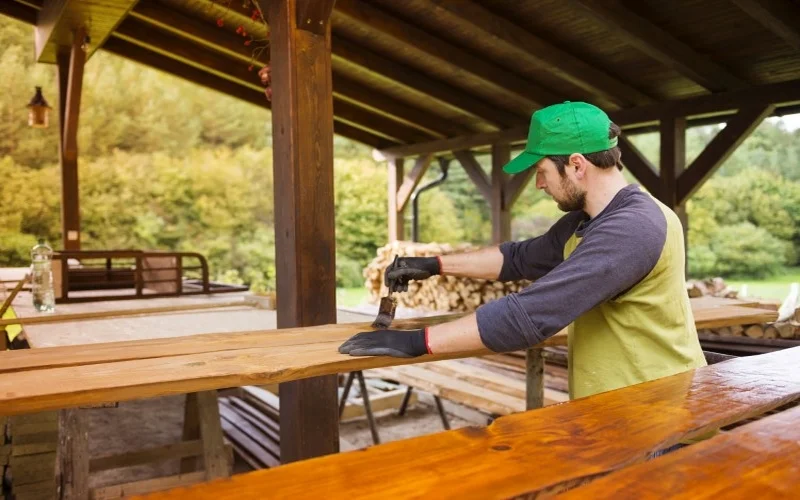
<point>396,343</point>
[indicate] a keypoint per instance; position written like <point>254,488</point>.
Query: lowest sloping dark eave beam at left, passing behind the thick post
<point>249,94</point>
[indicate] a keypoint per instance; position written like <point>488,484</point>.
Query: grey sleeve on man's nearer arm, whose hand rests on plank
<point>611,258</point>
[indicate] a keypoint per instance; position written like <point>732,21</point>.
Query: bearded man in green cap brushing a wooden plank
<point>612,268</point>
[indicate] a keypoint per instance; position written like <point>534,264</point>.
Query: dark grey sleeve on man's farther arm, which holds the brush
<point>533,258</point>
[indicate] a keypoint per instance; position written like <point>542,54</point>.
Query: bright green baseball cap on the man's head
<point>563,129</point>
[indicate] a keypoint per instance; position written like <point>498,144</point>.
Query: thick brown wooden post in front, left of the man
<point>302,125</point>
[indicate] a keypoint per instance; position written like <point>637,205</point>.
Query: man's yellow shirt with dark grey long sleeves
<point>617,280</point>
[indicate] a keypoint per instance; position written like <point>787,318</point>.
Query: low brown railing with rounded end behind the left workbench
<point>89,275</point>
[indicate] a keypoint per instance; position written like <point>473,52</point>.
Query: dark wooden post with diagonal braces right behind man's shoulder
<point>672,164</point>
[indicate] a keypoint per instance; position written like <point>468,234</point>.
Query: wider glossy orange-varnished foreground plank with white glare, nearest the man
<point>543,451</point>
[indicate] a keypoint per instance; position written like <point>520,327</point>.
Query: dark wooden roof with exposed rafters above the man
<point>414,71</point>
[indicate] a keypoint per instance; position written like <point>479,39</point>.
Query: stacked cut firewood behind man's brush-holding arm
<point>439,293</point>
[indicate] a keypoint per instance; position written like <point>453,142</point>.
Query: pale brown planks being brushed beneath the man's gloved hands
<point>142,370</point>
